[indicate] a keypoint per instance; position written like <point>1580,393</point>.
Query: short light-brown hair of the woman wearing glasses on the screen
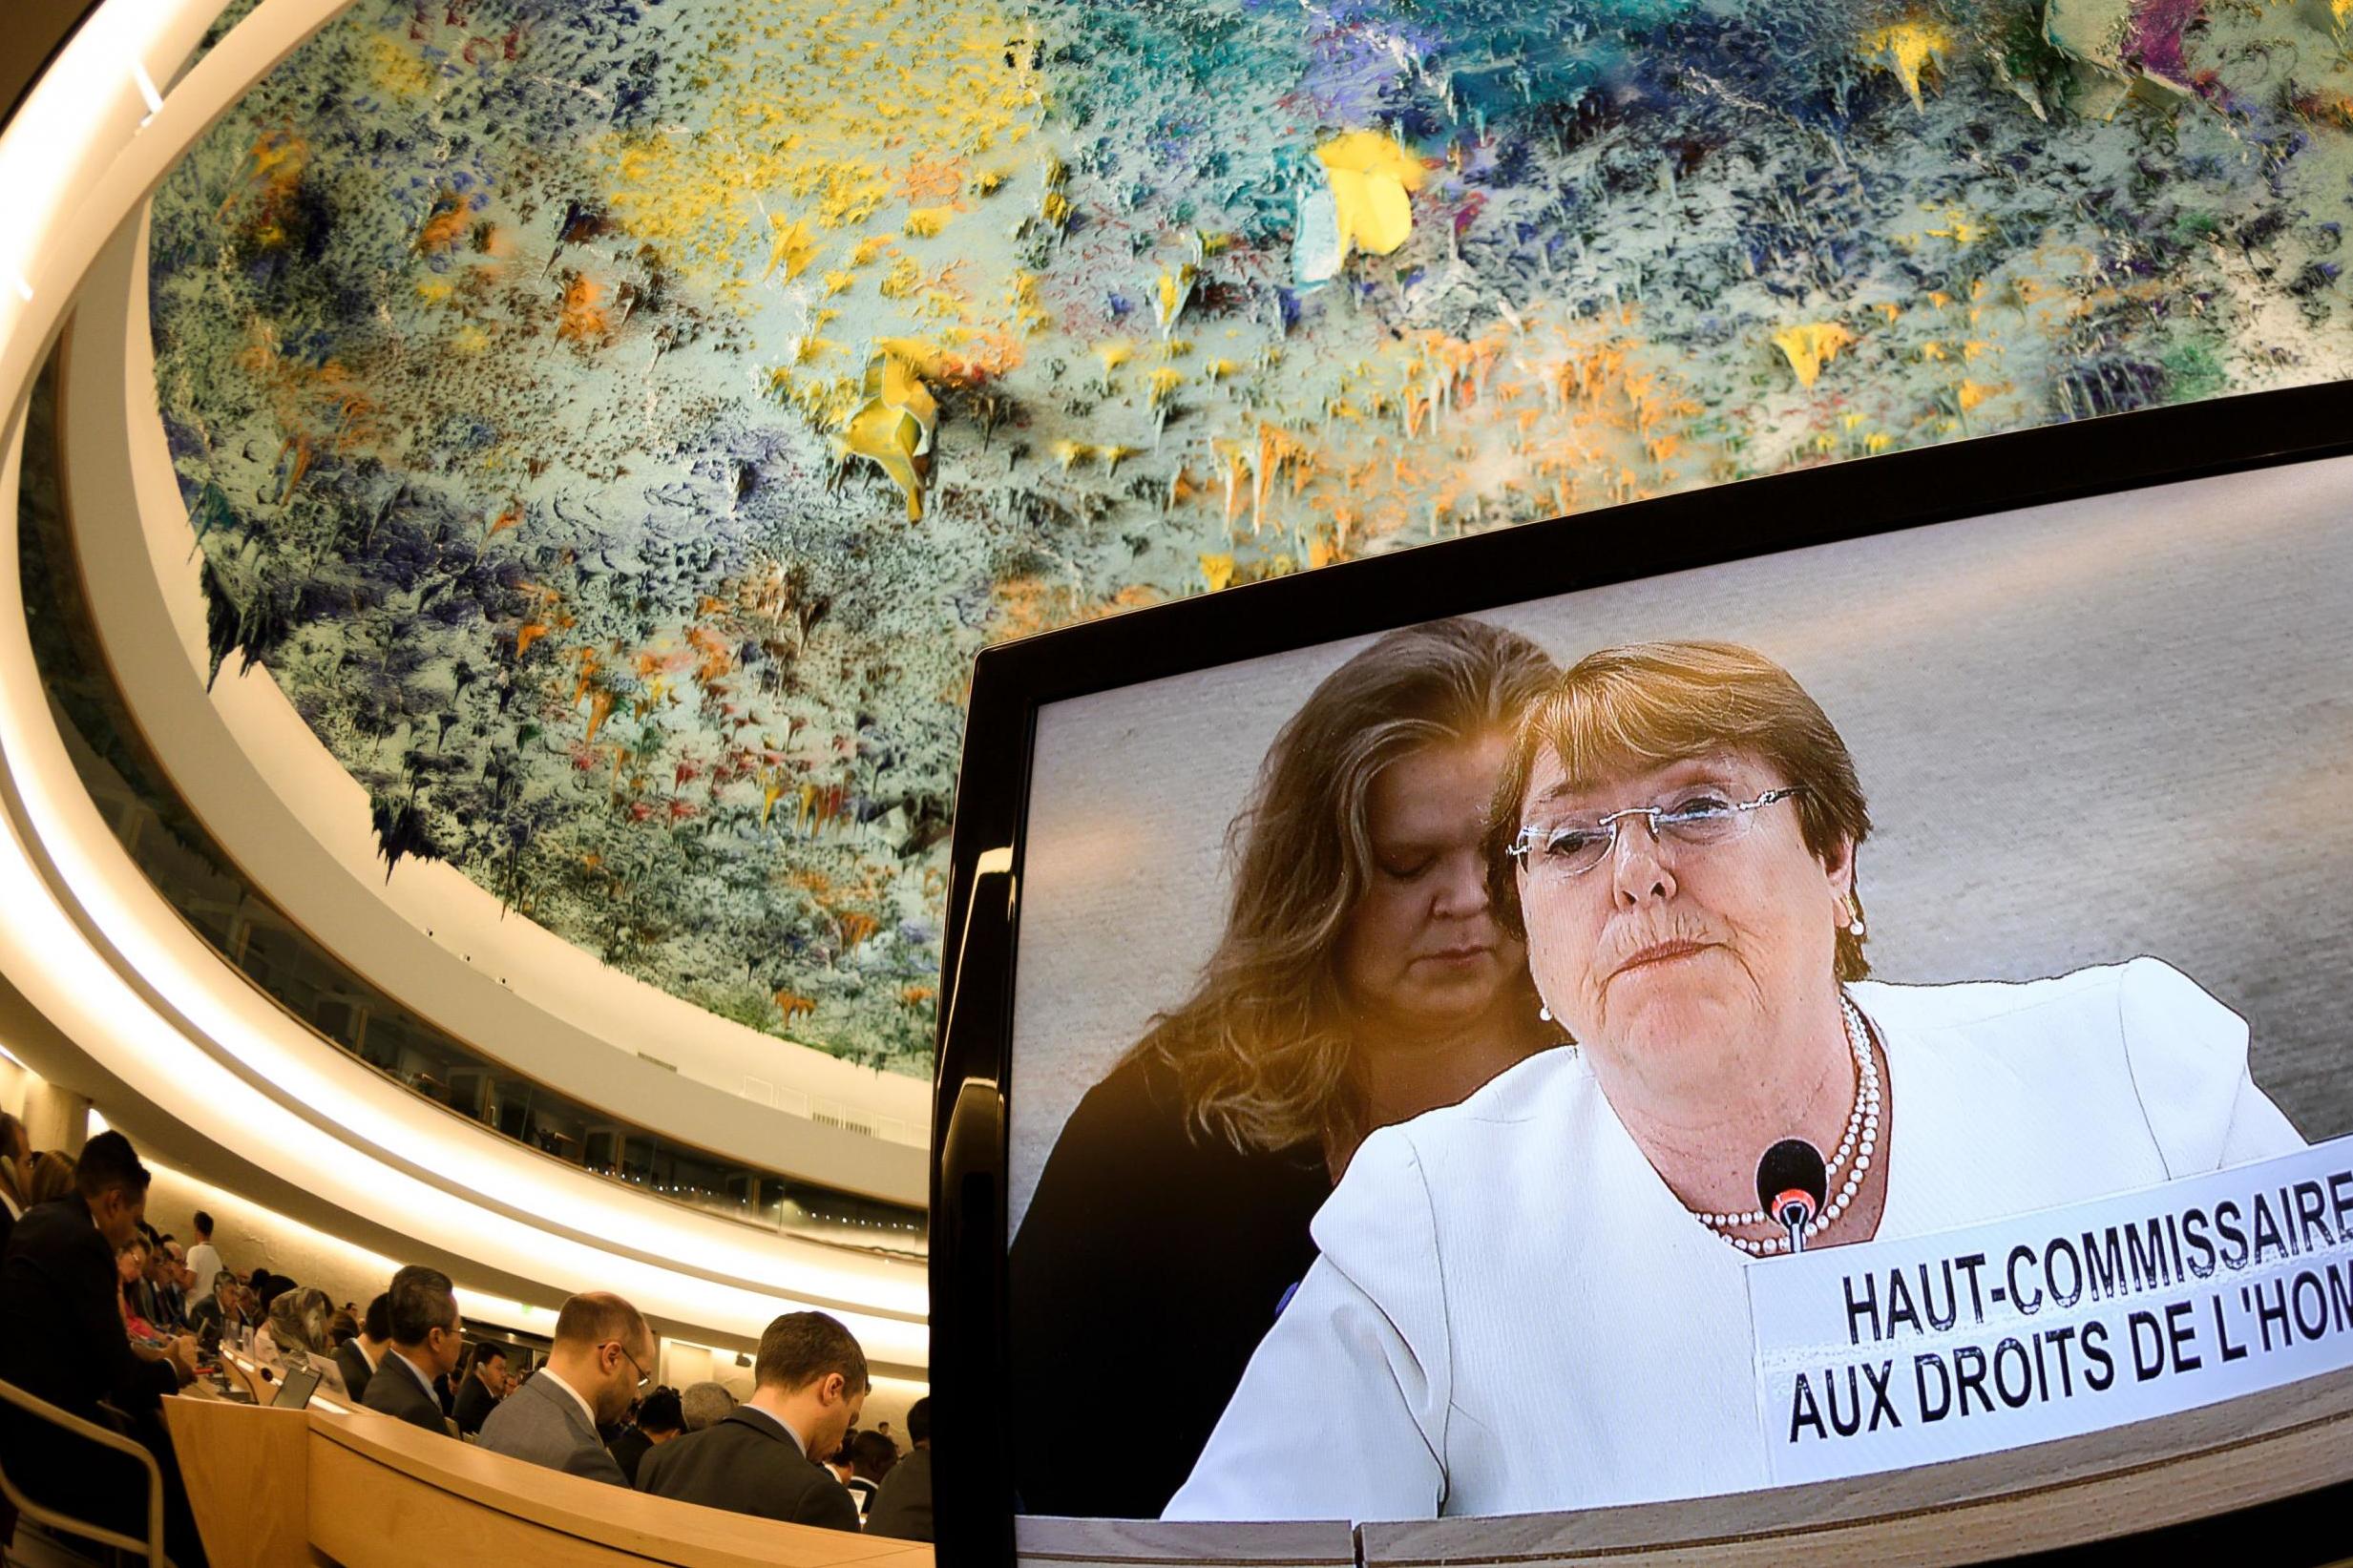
<point>1653,704</point>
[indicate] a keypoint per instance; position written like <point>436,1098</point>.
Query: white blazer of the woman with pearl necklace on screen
<point>1514,1313</point>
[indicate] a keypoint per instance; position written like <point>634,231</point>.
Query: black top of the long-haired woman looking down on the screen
<point>1145,1275</point>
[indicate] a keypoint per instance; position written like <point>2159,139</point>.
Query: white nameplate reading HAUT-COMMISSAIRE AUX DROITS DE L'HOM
<point>2060,1322</point>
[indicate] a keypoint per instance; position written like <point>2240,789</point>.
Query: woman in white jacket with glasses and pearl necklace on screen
<point>1535,1301</point>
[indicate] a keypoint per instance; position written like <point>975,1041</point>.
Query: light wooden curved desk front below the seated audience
<point>298,1489</point>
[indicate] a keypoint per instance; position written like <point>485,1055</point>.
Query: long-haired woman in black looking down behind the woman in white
<point>1361,981</point>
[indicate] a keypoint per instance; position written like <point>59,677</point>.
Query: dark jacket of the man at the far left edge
<point>60,1327</point>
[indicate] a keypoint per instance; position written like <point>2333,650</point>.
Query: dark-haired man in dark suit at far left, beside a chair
<point>62,1341</point>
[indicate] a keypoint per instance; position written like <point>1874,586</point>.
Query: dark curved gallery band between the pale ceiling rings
<point>284,963</point>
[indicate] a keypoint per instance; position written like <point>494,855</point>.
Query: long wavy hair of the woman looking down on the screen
<point>1260,1047</point>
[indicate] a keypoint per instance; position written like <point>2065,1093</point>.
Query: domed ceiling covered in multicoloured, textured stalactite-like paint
<point>618,424</point>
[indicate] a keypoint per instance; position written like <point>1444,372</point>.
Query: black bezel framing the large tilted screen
<point>1705,528</point>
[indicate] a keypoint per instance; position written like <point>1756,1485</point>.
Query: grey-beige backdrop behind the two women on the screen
<point>2086,735</point>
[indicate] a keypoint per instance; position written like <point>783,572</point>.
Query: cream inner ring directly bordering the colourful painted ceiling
<point>436,939</point>
